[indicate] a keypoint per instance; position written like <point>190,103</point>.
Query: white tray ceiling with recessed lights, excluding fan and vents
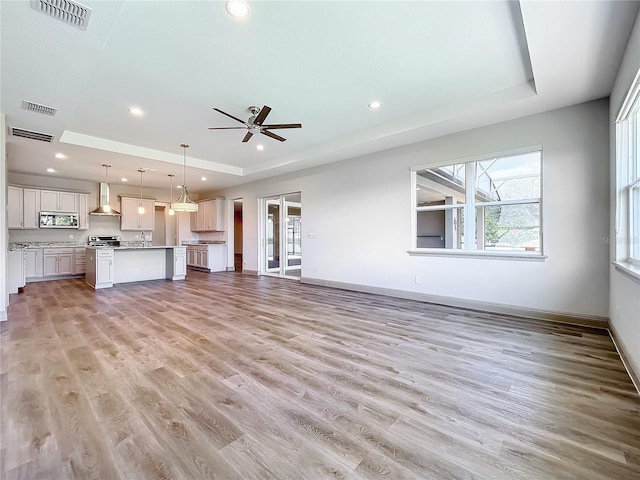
<point>437,67</point>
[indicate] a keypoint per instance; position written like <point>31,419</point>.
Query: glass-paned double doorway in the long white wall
<point>282,235</point>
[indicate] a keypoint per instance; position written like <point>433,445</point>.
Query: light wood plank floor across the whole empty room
<point>240,377</point>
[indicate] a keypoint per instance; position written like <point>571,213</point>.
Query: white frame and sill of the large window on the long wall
<point>469,208</point>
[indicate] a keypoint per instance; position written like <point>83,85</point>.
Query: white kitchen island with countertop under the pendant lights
<point>109,266</point>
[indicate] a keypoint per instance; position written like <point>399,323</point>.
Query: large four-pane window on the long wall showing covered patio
<point>491,205</point>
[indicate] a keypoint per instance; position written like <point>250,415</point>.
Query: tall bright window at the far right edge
<point>628,175</point>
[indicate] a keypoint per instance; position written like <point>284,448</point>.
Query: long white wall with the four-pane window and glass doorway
<point>359,213</point>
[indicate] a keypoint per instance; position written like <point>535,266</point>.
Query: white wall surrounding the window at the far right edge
<point>624,291</point>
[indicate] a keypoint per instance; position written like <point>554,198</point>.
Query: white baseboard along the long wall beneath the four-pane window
<point>575,319</point>
